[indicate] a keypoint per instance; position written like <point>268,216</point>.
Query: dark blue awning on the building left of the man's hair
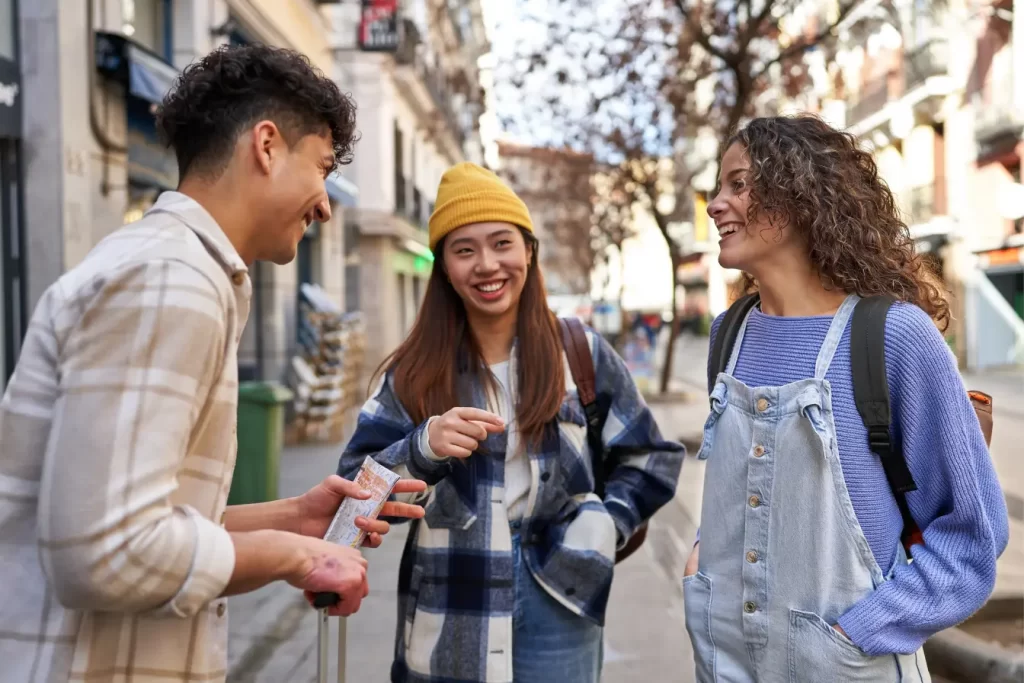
<point>144,73</point>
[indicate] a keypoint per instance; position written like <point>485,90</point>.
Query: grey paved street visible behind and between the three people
<point>274,632</point>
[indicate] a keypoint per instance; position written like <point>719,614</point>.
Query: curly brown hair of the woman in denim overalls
<point>807,175</point>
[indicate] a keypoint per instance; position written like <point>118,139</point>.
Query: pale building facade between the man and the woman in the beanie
<point>413,69</point>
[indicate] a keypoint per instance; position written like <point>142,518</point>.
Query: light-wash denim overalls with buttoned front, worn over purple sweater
<point>783,556</point>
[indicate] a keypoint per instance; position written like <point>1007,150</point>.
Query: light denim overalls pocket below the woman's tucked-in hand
<point>819,653</point>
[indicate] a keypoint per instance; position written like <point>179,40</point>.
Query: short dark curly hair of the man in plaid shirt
<point>234,88</point>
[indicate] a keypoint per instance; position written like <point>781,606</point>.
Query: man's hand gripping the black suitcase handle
<point>328,568</point>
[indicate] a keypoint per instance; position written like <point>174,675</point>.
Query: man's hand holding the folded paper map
<point>316,508</point>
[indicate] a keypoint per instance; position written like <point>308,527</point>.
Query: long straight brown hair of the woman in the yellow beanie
<point>426,367</point>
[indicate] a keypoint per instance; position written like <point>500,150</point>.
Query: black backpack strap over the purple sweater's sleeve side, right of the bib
<point>871,393</point>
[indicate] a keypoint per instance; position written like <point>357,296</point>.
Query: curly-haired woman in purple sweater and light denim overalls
<point>800,574</point>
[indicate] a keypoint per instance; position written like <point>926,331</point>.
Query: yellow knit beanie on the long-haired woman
<point>470,194</point>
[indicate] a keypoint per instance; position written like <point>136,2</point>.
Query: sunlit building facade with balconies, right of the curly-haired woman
<point>947,135</point>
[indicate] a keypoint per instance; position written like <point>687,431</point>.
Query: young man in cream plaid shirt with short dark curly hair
<point>118,430</point>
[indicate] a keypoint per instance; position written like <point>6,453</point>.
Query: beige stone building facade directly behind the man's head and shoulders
<point>100,69</point>
